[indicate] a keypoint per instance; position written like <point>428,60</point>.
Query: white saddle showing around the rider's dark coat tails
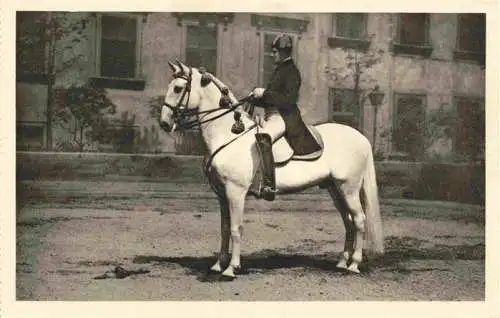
<point>283,153</point>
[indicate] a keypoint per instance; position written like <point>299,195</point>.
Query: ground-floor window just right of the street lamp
<point>409,116</point>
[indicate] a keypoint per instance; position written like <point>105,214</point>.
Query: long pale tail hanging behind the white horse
<point>374,233</point>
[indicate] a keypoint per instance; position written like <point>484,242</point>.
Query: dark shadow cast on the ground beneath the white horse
<point>399,250</point>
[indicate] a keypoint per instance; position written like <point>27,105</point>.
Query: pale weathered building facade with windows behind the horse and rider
<point>421,62</point>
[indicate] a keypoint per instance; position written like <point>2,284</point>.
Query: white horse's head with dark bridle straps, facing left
<point>183,96</point>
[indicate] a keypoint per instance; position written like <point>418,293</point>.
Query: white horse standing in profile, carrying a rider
<point>346,167</point>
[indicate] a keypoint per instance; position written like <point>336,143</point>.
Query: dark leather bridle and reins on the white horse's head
<point>181,112</point>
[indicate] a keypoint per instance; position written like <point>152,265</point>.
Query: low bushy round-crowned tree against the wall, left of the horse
<point>83,110</point>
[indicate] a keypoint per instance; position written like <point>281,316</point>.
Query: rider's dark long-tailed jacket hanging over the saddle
<point>282,92</point>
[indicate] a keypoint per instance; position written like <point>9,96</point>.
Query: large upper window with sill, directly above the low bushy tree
<point>118,61</point>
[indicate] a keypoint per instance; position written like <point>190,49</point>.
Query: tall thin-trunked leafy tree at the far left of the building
<point>53,35</point>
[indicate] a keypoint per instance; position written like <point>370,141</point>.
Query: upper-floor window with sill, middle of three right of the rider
<point>413,34</point>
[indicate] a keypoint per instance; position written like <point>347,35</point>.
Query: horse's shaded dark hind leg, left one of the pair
<point>350,230</point>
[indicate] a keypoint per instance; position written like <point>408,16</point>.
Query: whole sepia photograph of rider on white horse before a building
<point>237,156</point>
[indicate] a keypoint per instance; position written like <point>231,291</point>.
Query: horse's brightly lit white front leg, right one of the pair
<point>236,198</point>
